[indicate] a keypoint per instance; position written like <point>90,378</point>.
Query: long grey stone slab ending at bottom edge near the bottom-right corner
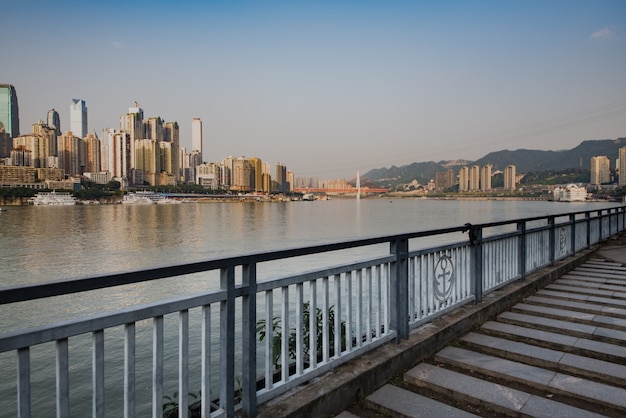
<point>500,398</point>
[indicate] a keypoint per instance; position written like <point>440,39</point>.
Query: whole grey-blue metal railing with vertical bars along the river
<point>249,340</point>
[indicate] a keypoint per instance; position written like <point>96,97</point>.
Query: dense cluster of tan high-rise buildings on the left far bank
<point>143,151</point>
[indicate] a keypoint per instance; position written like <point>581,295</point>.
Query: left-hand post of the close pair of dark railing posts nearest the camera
<point>227,344</point>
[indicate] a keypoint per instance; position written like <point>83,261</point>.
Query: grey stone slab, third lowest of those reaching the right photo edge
<point>582,346</point>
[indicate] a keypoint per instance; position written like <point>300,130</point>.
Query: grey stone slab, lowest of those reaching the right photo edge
<point>597,396</point>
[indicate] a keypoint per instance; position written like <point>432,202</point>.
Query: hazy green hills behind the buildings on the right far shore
<point>525,161</point>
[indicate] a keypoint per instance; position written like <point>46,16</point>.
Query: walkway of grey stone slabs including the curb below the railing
<point>553,345</point>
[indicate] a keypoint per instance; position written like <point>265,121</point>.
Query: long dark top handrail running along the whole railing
<point>22,293</point>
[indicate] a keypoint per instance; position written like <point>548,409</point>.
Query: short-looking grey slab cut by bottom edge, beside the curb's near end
<point>413,405</point>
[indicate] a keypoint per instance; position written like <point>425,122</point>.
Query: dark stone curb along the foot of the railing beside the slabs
<point>337,390</point>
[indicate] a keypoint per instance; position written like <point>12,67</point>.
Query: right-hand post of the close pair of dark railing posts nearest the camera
<point>249,341</point>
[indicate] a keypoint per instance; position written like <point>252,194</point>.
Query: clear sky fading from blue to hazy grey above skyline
<point>329,87</point>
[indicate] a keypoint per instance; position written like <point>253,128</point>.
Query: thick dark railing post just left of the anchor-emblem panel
<point>399,288</point>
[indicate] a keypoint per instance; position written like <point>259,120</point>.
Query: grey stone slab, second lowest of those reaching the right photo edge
<point>577,365</point>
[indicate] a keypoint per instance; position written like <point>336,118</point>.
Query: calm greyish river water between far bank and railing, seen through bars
<point>39,244</point>
